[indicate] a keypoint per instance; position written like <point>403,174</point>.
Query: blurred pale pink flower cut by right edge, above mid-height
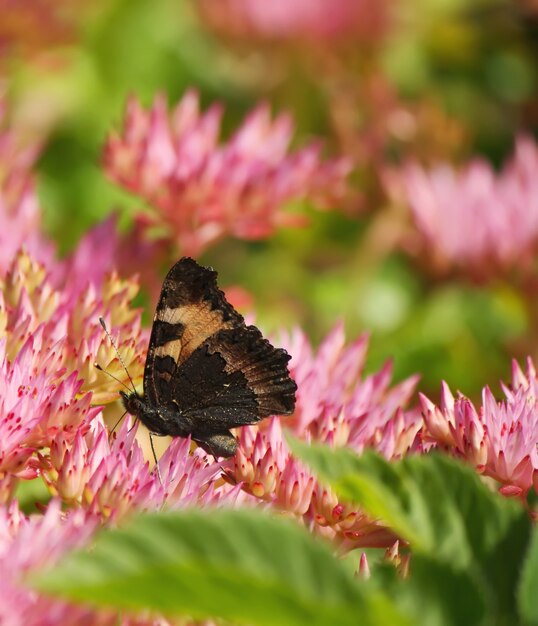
<point>474,219</point>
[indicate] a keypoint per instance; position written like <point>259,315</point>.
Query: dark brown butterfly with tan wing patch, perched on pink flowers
<point>207,371</point>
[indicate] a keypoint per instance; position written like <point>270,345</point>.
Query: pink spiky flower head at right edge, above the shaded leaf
<point>498,438</point>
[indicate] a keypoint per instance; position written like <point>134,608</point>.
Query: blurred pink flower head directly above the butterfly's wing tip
<point>200,190</point>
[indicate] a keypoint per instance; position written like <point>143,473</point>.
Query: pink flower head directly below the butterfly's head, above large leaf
<point>109,475</point>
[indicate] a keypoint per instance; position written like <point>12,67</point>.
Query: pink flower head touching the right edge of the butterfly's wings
<point>336,404</point>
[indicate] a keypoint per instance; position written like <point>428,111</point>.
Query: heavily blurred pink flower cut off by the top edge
<point>300,20</point>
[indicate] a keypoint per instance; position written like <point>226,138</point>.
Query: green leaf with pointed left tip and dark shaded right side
<point>442,508</point>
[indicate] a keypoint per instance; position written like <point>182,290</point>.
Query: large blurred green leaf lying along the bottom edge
<point>238,565</point>
